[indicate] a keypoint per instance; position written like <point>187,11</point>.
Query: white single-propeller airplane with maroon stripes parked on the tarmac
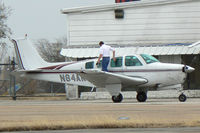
<point>139,73</point>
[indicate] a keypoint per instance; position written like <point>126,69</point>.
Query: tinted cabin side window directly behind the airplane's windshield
<point>132,61</point>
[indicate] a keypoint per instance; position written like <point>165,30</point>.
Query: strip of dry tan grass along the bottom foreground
<point>92,122</point>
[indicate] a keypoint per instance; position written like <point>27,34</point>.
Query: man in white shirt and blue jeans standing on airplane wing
<point>104,53</point>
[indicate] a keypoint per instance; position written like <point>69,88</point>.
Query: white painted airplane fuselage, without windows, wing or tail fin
<point>157,74</point>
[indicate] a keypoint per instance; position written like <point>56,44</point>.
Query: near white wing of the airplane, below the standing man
<point>101,78</point>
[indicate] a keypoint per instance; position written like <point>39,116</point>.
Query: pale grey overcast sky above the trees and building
<point>42,18</point>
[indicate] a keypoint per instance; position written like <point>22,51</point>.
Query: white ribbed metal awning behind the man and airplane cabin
<point>120,51</point>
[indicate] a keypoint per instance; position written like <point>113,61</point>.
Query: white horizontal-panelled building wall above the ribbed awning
<point>152,24</point>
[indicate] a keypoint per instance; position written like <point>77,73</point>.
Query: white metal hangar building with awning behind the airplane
<point>161,28</point>
